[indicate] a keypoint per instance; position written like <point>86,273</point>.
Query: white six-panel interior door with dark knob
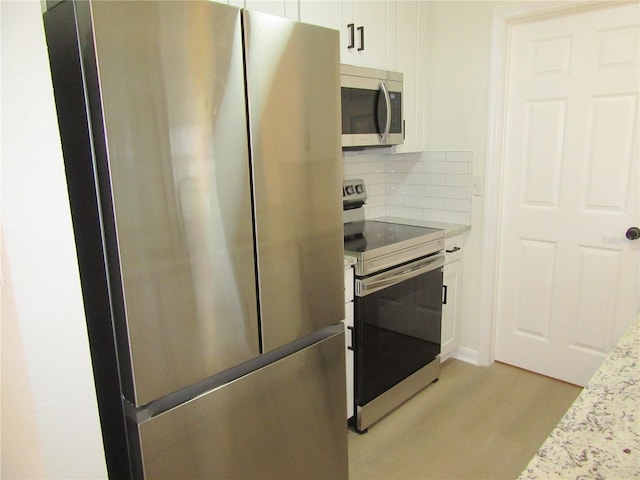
<point>567,275</point>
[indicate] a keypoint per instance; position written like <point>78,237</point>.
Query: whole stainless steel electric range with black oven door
<point>397,308</point>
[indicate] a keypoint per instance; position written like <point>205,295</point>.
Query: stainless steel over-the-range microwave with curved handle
<point>371,107</point>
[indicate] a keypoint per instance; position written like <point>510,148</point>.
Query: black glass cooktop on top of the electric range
<point>375,235</point>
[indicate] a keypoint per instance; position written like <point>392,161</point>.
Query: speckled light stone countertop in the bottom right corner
<point>599,436</point>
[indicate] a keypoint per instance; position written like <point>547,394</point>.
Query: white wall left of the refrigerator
<point>50,426</point>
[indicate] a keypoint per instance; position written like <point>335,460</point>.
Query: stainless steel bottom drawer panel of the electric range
<point>382,405</point>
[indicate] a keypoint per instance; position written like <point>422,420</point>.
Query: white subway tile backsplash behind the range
<point>424,186</point>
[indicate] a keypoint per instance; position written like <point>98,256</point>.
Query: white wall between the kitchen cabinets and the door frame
<point>458,56</point>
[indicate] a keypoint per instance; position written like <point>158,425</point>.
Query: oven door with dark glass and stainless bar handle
<point>397,325</point>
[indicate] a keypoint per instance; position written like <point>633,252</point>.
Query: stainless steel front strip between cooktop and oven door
<point>370,262</point>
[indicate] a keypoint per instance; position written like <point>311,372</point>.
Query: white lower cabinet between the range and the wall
<point>451,310</point>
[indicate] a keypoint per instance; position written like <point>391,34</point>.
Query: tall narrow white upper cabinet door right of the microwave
<point>410,50</point>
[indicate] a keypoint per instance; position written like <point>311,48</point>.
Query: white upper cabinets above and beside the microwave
<point>382,34</point>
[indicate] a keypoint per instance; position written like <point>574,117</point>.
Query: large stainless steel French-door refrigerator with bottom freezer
<point>202,152</point>
